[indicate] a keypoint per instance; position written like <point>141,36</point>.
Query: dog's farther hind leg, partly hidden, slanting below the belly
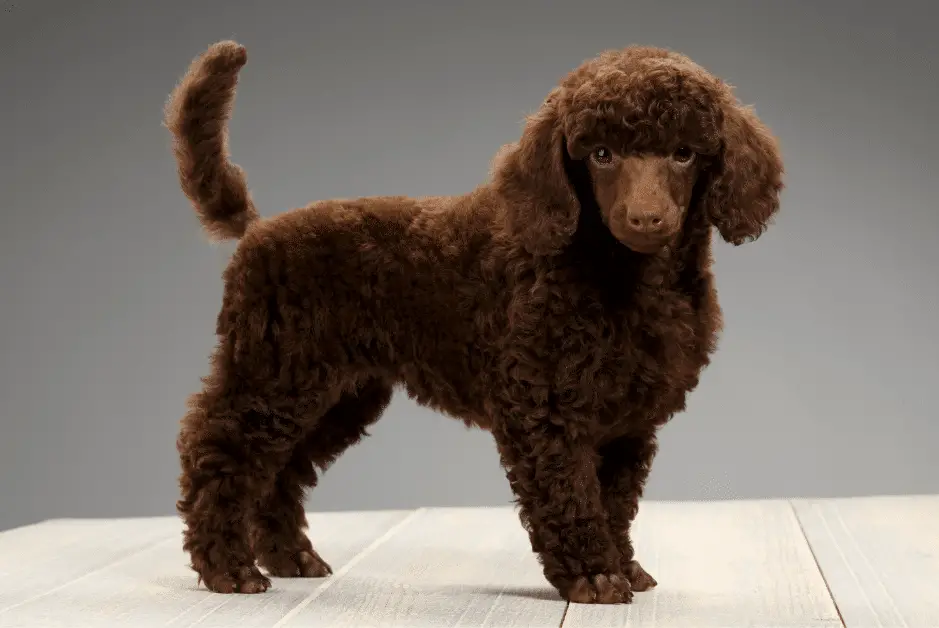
<point>278,529</point>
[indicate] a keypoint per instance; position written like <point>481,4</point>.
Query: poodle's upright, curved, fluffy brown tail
<point>197,114</point>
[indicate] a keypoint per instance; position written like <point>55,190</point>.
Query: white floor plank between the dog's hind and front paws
<point>446,567</point>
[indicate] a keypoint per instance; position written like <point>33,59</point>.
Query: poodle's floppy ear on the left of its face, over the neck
<point>541,205</point>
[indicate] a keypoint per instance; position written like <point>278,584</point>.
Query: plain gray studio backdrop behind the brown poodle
<point>824,380</point>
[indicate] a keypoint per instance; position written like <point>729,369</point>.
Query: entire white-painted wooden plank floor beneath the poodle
<point>861,563</point>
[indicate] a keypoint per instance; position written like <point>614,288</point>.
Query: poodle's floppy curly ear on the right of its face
<point>743,193</point>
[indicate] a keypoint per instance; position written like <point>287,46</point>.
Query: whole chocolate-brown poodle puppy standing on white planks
<point>567,306</point>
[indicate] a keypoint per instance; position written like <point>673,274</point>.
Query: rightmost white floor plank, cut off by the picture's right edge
<point>880,557</point>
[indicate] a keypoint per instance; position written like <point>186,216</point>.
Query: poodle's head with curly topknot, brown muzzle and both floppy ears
<point>658,137</point>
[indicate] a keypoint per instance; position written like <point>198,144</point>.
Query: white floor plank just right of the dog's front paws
<point>720,565</point>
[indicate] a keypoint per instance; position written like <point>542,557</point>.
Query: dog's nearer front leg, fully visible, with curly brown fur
<point>554,478</point>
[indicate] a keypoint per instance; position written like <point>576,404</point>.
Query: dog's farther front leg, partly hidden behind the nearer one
<point>624,467</point>
